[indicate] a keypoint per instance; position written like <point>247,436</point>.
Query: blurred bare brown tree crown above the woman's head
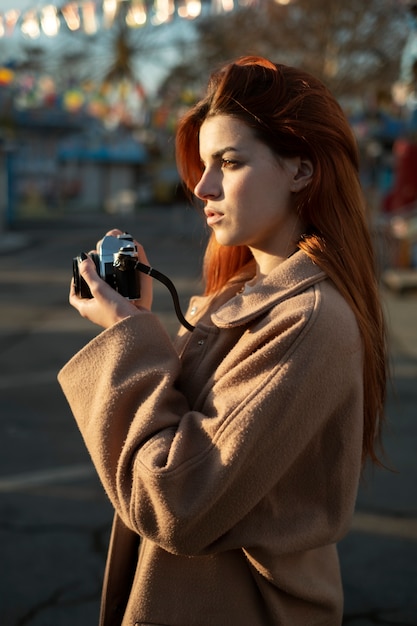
<point>353,46</point>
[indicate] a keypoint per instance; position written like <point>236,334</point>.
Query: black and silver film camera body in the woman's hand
<point>115,262</point>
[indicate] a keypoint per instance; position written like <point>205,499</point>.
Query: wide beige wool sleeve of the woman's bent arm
<point>275,446</point>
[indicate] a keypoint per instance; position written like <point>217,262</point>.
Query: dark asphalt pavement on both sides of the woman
<point>54,517</point>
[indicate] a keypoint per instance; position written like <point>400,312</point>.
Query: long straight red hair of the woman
<point>295,115</point>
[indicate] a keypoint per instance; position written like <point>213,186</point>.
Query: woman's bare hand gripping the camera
<point>107,306</point>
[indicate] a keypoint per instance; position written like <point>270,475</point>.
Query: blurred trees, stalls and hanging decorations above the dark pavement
<point>90,90</point>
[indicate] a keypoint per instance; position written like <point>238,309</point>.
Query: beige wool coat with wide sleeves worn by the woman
<point>232,458</point>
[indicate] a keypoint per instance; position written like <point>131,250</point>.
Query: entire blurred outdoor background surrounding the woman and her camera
<point>90,93</point>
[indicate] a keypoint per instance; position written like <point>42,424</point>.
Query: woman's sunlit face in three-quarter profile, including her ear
<point>246,190</point>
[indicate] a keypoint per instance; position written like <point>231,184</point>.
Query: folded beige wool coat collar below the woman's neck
<point>293,276</point>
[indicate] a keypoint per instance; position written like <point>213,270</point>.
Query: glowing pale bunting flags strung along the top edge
<point>91,15</point>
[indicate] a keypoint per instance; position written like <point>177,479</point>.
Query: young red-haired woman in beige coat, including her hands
<point>232,457</point>
